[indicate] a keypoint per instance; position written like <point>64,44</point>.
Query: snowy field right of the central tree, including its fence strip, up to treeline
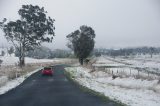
<point>135,67</point>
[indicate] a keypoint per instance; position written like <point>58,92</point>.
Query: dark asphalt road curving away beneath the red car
<point>57,90</point>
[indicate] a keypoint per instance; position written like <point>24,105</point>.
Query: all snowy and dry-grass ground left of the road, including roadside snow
<point>11,75</point>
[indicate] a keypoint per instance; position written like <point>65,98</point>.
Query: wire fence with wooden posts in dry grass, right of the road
<point>135,72</point>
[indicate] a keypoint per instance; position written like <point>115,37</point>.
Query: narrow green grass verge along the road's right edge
<point>85,89</point>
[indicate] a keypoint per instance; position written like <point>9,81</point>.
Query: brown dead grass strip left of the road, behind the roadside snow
<point>14,71</point>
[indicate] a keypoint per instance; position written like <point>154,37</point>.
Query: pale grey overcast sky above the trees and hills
<point>117,23</point>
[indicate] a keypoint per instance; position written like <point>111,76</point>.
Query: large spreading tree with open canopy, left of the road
<point>28,32</point>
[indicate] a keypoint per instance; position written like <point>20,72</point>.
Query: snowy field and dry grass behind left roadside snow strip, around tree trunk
<point>10,67</point>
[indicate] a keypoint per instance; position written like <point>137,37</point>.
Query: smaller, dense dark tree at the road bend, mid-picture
<point>82,42</point>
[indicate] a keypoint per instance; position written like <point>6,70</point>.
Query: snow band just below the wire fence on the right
<point>132,83</point>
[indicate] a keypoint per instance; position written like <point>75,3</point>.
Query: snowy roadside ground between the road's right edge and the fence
<point>134,92</point>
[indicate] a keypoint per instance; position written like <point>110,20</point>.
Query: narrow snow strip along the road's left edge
<point>14,83</point>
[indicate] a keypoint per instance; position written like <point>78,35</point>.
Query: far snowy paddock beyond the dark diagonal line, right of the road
<point>142,61</point>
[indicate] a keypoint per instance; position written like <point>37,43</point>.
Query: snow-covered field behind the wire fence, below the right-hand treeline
<point>141,62</point>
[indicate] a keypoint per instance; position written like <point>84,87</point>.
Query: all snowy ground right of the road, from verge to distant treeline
<point>136,84</point>
